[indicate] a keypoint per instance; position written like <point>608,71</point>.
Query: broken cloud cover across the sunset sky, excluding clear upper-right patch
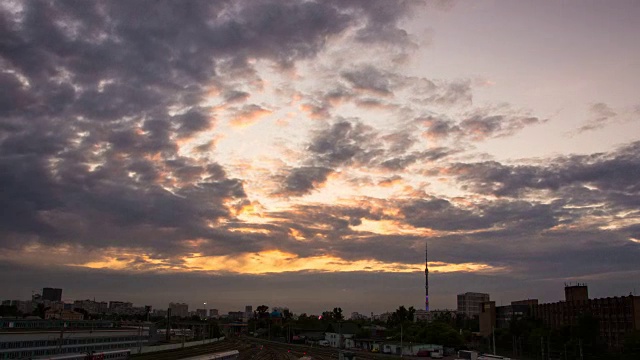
<point>110,153</point>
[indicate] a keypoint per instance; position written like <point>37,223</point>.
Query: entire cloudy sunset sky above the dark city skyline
<point>302,153</point>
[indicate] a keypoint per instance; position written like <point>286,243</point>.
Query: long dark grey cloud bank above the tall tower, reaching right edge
<point>510,232</point>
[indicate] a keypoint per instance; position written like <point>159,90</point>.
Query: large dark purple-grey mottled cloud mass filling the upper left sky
<point>88,99</point>
